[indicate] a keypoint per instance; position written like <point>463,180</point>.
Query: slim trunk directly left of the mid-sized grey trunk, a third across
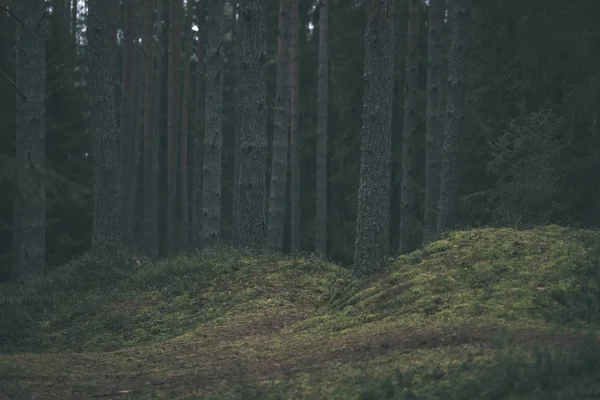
<point>199,134</point>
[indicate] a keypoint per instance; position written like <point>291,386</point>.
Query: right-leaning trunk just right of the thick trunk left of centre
<point>281,131</point>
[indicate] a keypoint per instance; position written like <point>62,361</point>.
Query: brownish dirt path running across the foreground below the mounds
<point>185,368</point>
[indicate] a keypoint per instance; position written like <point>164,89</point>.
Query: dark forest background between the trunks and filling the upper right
<point>528,154</point>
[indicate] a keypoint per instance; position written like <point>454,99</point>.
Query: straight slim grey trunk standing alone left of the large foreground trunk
<point>322,110</point>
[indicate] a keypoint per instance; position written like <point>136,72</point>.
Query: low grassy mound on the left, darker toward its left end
<point>104,304</point>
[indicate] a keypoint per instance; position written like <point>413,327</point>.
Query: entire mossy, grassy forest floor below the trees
<point>485,313</point>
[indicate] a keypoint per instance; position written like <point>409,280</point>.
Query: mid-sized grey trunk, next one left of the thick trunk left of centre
<point>213,125</point>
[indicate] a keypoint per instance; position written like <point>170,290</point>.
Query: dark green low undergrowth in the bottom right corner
<point>547,373</point>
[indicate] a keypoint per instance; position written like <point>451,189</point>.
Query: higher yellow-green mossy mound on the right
<point>491,276</point>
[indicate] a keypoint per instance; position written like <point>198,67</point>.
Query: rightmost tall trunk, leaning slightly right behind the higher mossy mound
<point>455,117</point>
